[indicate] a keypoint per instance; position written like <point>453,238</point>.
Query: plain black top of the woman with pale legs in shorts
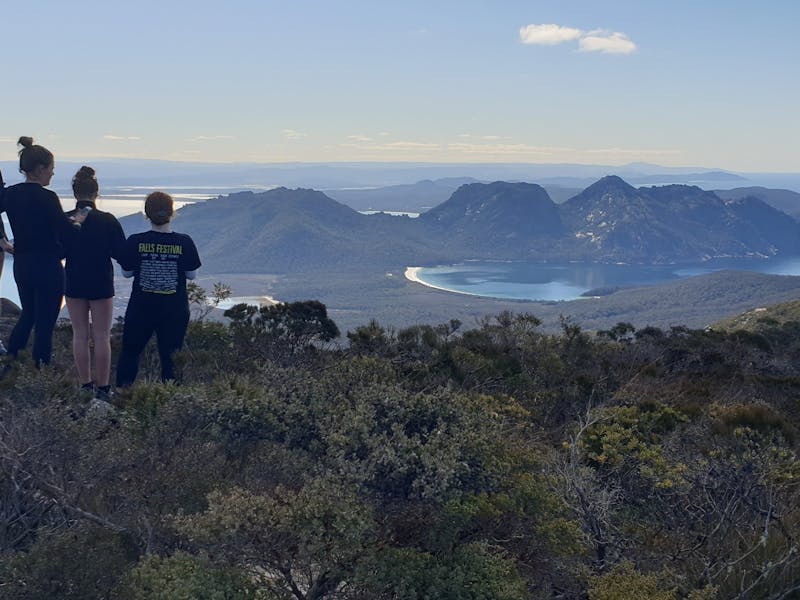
<point>90,274</point>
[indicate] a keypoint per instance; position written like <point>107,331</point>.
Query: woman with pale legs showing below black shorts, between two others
<point>90,283</point>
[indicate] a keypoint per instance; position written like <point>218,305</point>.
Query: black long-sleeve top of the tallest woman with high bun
<point>37,219</point>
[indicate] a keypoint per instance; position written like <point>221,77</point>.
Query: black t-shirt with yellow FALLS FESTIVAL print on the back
<point>159,262</point>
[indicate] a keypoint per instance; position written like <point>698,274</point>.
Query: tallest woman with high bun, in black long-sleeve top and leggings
<point>40,228</point>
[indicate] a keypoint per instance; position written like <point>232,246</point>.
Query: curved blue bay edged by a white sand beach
<point>570,281</point>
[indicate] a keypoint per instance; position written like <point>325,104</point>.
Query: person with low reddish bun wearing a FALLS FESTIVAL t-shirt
<point>160,261</point>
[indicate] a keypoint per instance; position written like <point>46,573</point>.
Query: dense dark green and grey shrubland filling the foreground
<point>496,462</point>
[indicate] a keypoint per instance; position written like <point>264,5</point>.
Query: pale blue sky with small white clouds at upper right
<point>711,83</point>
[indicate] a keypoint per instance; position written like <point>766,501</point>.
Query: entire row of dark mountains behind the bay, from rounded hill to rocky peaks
<point>285,230</point>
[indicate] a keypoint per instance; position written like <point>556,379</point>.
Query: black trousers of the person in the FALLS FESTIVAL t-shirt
<point>168,320</point>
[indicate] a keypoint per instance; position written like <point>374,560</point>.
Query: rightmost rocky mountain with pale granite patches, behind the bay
<point>673,223</point>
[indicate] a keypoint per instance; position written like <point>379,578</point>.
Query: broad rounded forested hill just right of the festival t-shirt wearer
<point>286,230</point>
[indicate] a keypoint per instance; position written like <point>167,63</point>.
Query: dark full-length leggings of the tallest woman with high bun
<point>40,282</point>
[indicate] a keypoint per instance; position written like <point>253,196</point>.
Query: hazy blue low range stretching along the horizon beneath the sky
<point>354,175</point>
